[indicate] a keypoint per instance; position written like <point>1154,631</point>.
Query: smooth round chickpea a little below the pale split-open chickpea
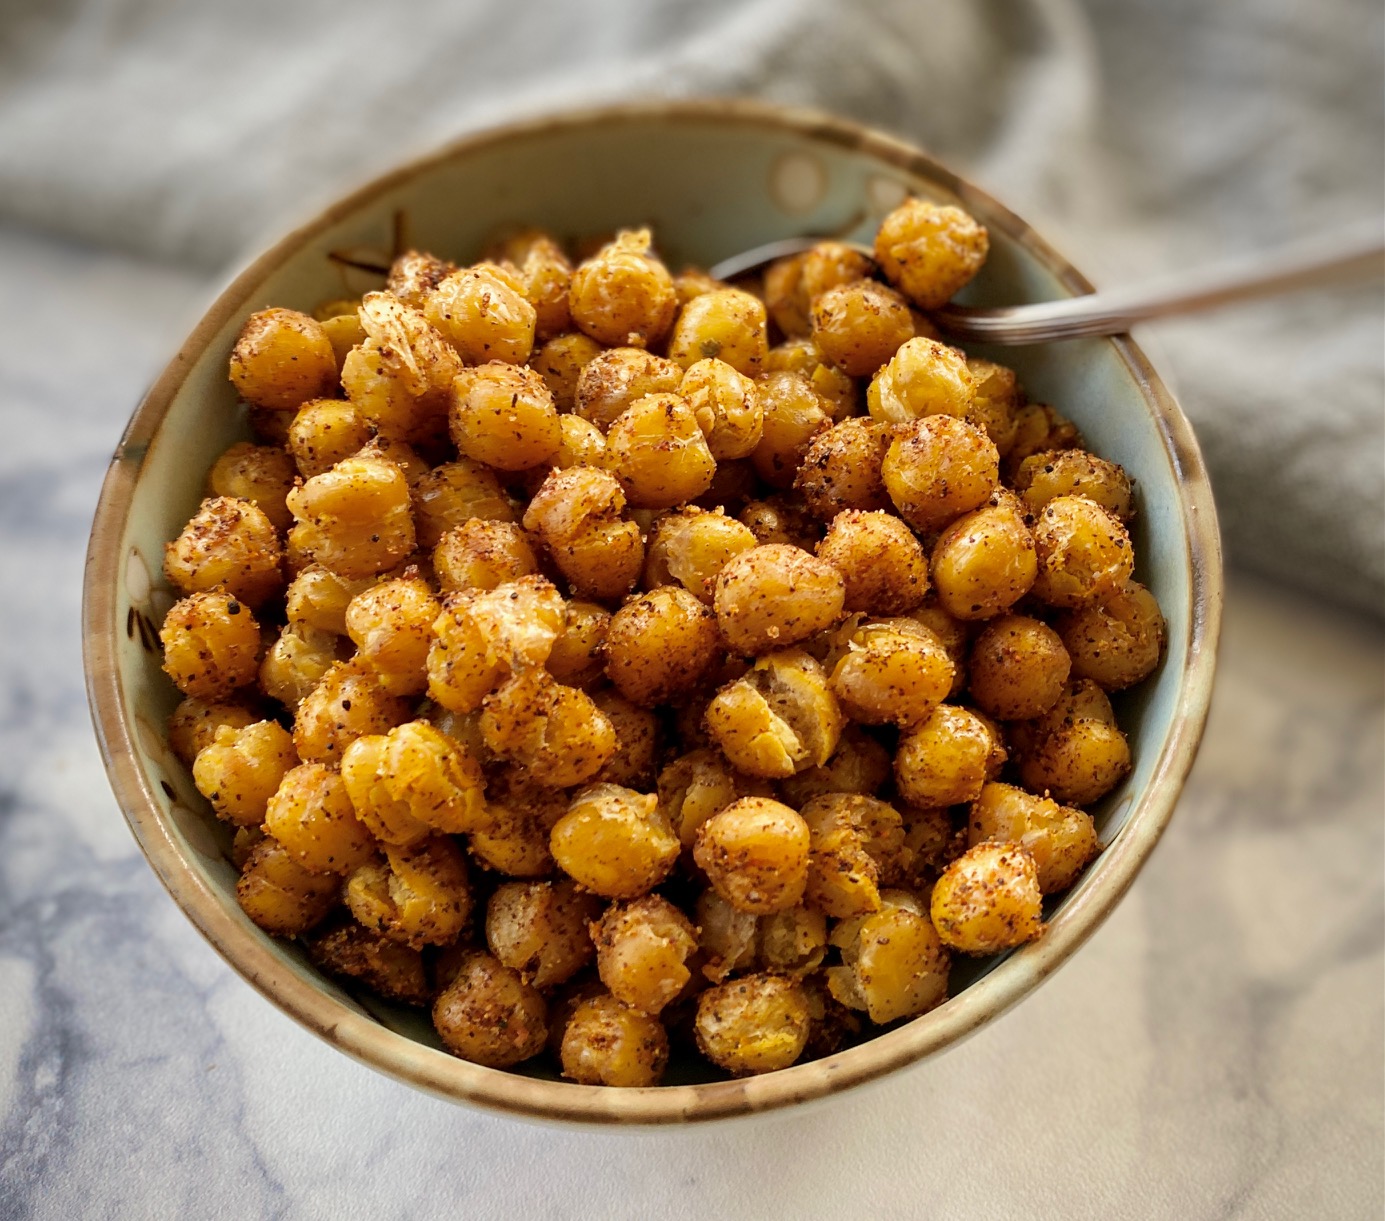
<point>756,855</point>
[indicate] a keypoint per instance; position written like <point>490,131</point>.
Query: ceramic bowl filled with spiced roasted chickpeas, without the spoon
<point>587,689</point>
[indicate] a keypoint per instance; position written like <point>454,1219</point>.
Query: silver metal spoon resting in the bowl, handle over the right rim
<point>1340,257</point>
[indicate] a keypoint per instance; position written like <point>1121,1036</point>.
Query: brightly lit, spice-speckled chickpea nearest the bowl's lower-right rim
<point>988,899</point>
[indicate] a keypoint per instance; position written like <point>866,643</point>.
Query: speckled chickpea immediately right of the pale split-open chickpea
<point>891,672</point>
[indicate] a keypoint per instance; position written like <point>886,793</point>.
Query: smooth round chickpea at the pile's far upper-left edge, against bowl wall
<point>282,361</point>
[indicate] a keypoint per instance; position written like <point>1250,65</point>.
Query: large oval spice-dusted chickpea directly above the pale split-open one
<point>776,596</point>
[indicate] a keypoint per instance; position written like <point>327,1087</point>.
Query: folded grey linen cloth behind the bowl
<point>1142,135</point>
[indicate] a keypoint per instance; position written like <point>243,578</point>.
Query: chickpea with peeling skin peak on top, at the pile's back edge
<point>624,296</point>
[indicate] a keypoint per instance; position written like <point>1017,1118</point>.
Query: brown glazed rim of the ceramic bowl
<point>443,1075</point>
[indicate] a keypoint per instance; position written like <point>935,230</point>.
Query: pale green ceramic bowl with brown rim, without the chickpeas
<point>713,179</point>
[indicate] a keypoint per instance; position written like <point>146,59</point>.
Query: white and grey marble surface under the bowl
<point>1217,1050</point>
